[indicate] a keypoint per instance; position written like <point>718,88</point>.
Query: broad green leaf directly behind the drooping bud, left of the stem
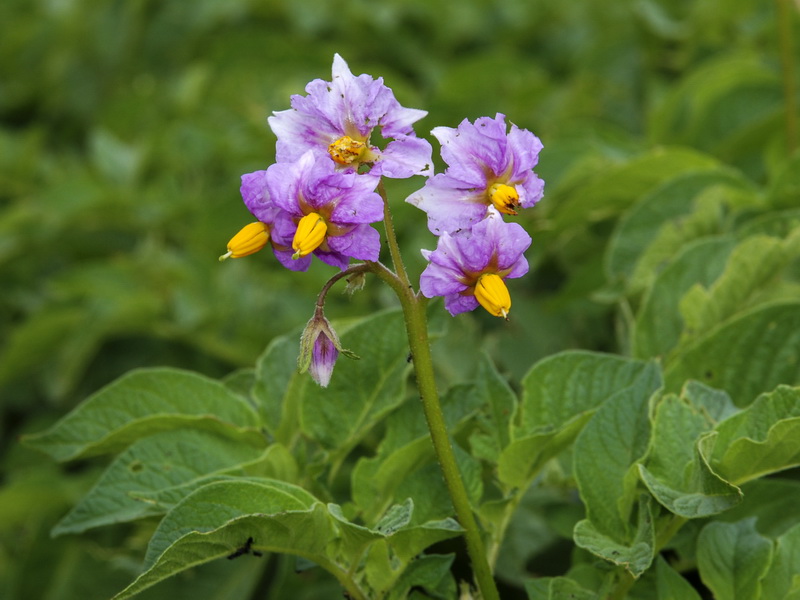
<point>362,391</point>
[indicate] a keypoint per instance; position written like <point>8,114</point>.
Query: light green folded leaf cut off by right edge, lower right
<point>762,439</point>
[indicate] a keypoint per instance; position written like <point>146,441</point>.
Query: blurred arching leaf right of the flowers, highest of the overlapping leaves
<point>638,229</point>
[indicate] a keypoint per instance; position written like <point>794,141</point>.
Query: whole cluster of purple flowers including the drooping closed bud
<point>319,198</point>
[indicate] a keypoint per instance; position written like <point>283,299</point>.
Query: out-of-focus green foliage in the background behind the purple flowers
<point>125,126</point>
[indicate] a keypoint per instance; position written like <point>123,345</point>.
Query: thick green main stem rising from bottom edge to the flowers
<point>417,330</point>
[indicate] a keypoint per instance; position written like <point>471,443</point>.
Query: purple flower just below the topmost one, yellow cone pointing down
<point>313,208</point>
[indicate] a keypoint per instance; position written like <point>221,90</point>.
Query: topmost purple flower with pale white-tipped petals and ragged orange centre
<point>337,118</point>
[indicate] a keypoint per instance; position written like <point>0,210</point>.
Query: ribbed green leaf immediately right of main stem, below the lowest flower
<point>560,394</point>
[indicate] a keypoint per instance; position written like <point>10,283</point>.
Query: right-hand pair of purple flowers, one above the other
<point>489,173</point>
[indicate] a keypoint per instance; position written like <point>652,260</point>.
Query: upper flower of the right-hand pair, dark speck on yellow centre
<point>487,166</point>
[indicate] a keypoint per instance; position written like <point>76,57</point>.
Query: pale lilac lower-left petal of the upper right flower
<point>450,207</point>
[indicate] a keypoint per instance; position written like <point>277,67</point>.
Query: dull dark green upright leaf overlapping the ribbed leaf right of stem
<point>606,451</point>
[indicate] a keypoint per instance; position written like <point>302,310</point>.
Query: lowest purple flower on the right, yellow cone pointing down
<point>468,268</point>
